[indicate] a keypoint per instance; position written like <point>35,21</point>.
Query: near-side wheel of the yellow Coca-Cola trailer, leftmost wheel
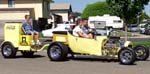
<point>8,51</point>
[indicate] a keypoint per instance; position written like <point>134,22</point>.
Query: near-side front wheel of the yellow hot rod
<point>126,56</point>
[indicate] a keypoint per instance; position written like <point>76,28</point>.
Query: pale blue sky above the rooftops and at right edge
<point>79,5</point>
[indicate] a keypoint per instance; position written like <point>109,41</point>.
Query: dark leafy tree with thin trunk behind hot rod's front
<point>127,9</point>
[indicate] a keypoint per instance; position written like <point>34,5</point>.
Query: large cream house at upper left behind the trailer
<point>12,10</point>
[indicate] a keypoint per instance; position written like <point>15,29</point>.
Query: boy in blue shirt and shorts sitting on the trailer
<point>28,29</point>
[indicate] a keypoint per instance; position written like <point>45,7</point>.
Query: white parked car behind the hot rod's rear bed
<point>60,27</point>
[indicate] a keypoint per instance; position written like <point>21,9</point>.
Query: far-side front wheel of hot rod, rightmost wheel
<point>142,52</point>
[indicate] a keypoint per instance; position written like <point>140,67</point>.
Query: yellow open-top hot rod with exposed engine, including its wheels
<point>103,46</point>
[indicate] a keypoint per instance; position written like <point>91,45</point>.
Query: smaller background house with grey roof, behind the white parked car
<point>64,10</point>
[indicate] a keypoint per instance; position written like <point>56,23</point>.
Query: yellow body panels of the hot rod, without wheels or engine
<point>87,46</point>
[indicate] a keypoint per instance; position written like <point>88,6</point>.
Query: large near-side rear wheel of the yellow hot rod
<point>57,51</point>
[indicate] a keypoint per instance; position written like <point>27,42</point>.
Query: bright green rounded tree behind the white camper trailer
<point>98,8</point>
